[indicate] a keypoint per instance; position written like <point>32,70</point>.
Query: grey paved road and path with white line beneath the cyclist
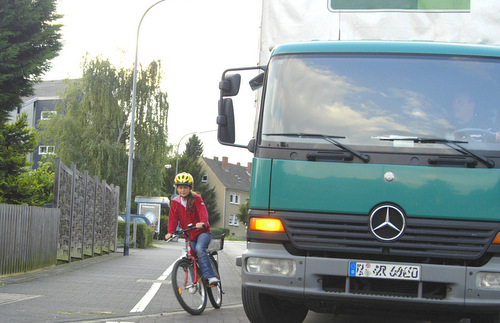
<point>135,288</point>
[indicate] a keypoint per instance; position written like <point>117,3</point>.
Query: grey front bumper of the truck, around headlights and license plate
<point>325,282</point>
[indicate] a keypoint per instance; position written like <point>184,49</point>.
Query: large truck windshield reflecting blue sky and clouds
<point>364,100</point>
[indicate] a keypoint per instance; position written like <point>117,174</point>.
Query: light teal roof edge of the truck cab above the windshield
<point>387,47</point>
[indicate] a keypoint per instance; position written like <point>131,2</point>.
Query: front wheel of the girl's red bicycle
<point>191,294</point>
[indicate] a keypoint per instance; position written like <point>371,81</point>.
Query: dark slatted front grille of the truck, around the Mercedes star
<point>427,238</point>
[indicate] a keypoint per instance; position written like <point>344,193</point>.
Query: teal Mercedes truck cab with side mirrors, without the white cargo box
<point>375,180</point>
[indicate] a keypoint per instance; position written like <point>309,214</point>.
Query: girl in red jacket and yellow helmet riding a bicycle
<point>187,208</point>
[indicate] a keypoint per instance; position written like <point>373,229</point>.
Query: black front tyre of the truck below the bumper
<point>262,308</point>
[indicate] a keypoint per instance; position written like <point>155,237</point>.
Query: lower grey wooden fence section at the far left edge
<point>28,238</point>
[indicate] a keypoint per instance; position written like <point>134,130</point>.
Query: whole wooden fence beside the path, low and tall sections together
<point>82,223</point>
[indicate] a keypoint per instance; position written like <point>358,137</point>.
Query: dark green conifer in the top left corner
<point>29,39</point>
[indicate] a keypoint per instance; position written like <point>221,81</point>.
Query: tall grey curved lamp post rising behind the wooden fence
<point>131,148</point>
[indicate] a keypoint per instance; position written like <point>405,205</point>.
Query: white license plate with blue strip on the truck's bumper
<point>387,271</point>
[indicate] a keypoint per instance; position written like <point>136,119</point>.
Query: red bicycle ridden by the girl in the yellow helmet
<point>190,287</point>
